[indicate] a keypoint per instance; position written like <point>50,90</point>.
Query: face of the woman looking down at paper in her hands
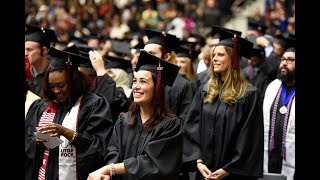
<point>58,84</point>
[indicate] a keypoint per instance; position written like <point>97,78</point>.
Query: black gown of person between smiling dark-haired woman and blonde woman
<point>179,97</point>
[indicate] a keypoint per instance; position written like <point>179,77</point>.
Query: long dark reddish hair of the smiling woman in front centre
<point>159,111</point>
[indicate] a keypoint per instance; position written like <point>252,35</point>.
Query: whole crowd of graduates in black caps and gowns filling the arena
<point>141,90</point>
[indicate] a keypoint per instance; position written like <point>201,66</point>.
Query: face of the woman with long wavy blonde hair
<point>221,60</point>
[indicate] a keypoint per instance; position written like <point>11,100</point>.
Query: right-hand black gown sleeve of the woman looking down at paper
<point>94,131</point>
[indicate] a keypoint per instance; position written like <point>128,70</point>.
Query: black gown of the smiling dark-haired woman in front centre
<point>147,155</point>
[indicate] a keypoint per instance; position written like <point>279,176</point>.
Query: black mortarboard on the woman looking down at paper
<point>59,59</point>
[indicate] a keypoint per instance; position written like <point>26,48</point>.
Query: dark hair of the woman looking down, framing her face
<point>80,83</point>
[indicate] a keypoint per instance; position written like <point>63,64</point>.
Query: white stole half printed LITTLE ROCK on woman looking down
<point>67,152</point>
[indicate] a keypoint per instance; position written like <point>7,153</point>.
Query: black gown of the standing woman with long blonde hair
<point>224,136</point>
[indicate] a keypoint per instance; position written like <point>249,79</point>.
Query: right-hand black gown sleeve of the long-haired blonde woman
<point>248,148</point>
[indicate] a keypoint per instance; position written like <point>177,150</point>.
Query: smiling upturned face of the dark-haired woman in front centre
<point>143,88</point>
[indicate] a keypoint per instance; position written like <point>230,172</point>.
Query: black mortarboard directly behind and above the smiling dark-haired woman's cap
<point>155,37</point>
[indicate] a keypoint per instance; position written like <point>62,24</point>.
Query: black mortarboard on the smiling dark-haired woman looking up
<point>151,63</point>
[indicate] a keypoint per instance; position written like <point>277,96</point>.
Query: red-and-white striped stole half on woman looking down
<point>46,118</point>
